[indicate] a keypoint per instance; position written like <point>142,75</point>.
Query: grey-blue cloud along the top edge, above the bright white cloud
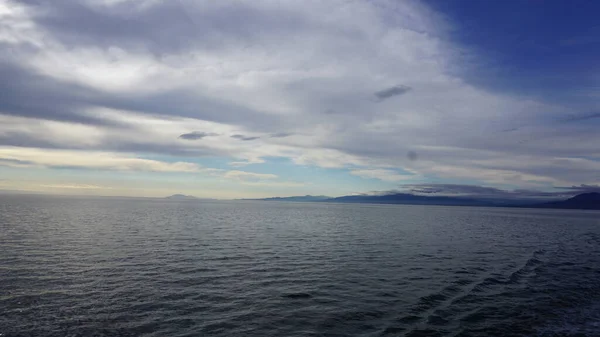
<point>163,28</point>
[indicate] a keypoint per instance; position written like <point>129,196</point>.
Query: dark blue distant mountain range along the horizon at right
<point>581,201</point>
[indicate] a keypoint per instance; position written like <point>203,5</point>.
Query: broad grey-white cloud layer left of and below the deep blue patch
<point>358,86</point>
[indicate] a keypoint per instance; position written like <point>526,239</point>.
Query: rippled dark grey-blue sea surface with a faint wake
<point>149,267</point>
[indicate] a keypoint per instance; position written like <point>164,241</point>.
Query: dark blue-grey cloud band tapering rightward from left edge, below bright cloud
<point>26,93</point>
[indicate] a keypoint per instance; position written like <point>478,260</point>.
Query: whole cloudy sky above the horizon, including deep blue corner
<point>247,99</point>
